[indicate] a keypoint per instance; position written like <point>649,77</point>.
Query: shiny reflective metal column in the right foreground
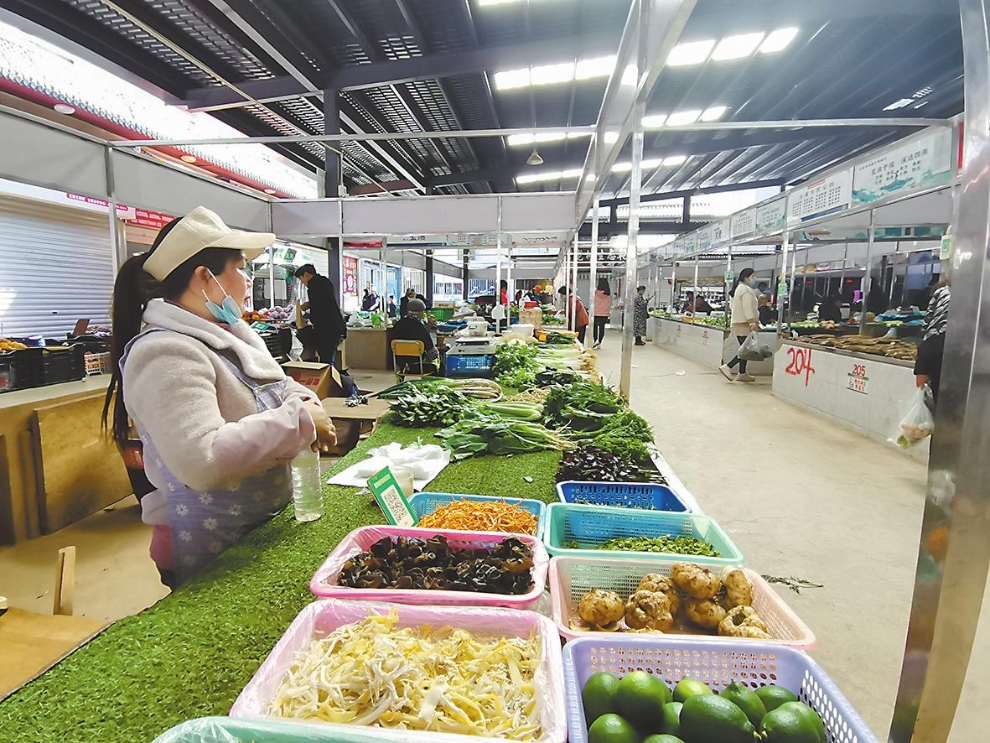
<point>953,550</point>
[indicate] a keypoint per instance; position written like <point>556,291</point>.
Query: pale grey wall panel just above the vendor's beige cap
<point>144,183</point>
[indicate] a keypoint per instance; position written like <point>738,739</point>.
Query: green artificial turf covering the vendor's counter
<point>192,653</point>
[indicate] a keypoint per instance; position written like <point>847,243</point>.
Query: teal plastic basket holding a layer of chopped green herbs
<point>590,526</point>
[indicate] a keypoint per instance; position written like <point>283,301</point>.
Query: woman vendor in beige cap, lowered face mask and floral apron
<point>217,417</point>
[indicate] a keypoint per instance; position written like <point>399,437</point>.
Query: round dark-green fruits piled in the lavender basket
<point>640,706</point>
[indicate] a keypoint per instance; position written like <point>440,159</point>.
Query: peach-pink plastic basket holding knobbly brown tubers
<point>572,577</point>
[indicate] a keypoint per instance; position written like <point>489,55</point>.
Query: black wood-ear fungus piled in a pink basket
<point>432,565</point>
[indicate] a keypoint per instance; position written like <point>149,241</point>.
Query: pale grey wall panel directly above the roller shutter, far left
<point>33,153</point>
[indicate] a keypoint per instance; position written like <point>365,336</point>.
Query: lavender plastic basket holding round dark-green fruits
<point>754,664</point>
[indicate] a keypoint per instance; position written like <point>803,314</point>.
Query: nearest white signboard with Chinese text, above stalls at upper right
<point>920,163</point>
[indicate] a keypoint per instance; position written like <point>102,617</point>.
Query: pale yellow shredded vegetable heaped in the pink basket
<point>415,678</point>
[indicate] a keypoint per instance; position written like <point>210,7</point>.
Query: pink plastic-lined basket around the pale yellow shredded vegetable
<point>322,617</point>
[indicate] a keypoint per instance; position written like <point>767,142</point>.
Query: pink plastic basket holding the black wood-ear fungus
<point>324,582</point>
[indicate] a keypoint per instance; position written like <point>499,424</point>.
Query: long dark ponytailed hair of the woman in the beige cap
<point>132,291</point>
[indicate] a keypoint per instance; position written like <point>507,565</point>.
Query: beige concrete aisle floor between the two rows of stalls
<point>803,497</point>
